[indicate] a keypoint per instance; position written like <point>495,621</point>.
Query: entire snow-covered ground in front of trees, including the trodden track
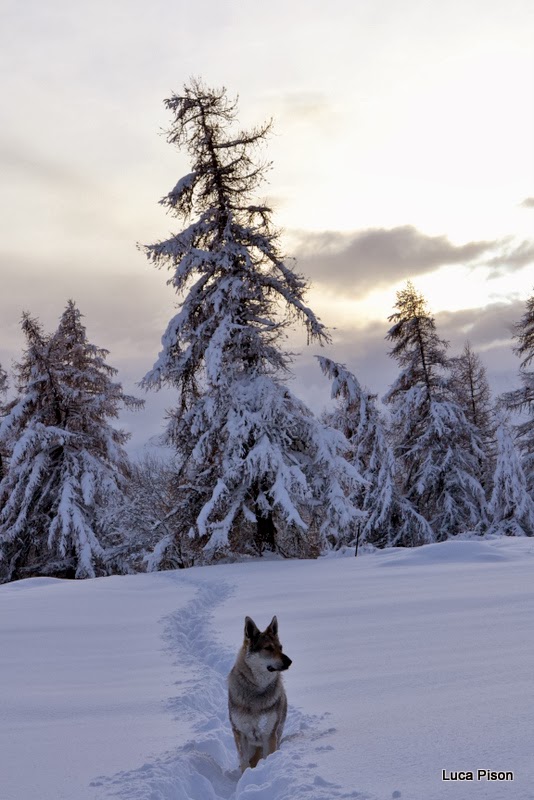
<point>405,663</point>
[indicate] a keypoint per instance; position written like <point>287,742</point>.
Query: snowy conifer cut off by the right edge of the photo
<point>522,400</point>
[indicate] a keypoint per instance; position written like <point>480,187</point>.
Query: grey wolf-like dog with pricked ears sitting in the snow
<point>257,702</point>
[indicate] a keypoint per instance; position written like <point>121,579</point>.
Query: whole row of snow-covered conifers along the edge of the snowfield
<point>254,469</point>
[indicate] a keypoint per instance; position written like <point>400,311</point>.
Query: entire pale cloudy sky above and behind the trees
<point>402,148</point>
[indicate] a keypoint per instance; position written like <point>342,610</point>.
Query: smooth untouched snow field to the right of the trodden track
<point>421,657</point>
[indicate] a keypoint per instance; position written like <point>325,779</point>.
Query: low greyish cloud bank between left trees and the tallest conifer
<point>126,315</point>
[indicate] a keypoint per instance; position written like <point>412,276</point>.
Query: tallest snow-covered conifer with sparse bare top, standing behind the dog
<point>256,469</point>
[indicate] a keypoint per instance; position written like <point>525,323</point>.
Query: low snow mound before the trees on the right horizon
<point>450,552</point>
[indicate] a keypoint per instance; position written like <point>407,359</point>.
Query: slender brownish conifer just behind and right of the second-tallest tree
<point>469,384</point>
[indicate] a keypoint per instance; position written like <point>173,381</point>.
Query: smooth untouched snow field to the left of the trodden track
<point>83,681</point>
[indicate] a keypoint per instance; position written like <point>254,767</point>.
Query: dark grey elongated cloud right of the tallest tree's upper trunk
<point>379,257</point>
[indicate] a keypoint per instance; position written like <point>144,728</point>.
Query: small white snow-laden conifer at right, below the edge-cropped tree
<point>511,508</point>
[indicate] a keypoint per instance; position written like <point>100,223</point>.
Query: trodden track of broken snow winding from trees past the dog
<point>206,767</point>
